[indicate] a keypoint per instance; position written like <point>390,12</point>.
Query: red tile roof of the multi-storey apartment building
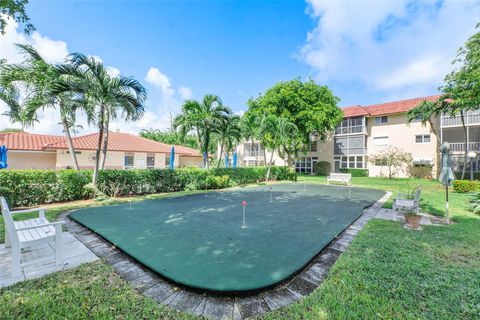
<point>386,108</point>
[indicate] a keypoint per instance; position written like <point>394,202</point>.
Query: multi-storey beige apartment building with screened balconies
<point>367,130</point>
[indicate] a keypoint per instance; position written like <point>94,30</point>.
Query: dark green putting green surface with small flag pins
<point>198,241</point>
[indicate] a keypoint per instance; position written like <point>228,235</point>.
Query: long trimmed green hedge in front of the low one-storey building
<point>34,187</point>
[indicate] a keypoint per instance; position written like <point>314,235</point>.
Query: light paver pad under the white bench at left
<point>40,260</point>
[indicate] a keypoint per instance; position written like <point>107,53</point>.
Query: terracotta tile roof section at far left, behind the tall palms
<point>27,141</point>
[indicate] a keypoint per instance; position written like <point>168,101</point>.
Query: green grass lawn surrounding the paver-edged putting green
<point>388,272</point>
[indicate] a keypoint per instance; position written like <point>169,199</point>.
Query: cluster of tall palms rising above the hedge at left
<point>81,84</point>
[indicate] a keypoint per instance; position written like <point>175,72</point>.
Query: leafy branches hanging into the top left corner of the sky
<point>15,10</point>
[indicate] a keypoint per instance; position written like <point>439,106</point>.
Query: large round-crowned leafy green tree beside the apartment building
<point>310,107</point>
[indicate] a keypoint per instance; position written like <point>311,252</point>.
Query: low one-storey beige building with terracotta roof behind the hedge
<point>125,151</point>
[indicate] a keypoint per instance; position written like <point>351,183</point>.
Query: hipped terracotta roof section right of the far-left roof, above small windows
<point>119,141</point>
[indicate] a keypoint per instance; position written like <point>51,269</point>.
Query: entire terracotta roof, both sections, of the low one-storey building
<point>117,141</point>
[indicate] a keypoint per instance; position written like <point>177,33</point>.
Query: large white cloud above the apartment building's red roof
<point>397,46</point>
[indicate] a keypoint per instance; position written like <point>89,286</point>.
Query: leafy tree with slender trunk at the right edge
<point>461,89</point>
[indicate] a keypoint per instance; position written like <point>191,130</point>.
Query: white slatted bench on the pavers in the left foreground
<point>27,233</point>
